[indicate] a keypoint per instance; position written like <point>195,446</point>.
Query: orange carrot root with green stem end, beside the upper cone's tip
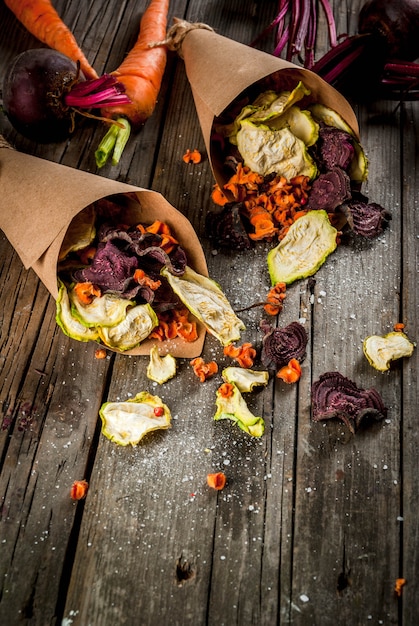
<point>141,72</point>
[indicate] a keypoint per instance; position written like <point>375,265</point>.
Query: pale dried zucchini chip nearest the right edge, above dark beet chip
<point>382,350</point>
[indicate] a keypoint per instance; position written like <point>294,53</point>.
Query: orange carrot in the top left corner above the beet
<point>41,19</point>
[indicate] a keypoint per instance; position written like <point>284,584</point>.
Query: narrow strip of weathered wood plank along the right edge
<point>409,563</point>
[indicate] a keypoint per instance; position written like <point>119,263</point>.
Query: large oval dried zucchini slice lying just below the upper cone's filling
<point>304,248</point>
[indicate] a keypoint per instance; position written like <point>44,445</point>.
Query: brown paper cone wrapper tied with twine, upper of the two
<point>220,70</point>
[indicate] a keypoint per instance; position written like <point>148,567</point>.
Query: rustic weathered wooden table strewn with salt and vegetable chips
<point>314,525</point>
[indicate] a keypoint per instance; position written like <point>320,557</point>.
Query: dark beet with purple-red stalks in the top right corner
<point>377,62</point>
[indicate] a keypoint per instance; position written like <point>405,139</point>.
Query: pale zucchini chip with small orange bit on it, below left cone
<point>127,422</point>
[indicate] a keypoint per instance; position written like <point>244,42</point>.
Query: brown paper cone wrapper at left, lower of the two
<point>38,201</point>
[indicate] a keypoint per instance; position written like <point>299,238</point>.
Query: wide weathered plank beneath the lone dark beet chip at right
<point>348,487</point>
